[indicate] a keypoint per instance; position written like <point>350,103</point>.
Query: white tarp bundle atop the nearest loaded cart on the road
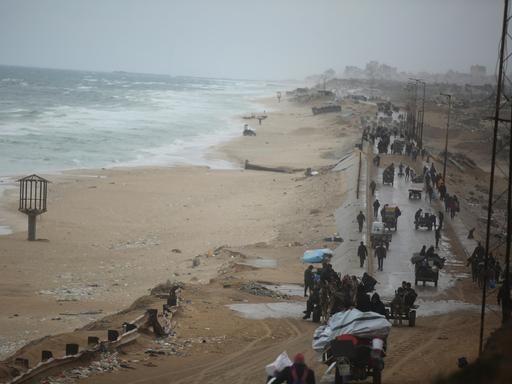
<point>351,322</point>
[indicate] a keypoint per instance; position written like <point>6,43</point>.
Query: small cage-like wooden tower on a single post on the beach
<point>33,193</point>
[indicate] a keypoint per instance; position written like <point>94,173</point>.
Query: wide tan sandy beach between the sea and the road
<point>109,235</point>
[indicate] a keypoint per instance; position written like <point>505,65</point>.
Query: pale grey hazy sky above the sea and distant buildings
<point>249,38</point>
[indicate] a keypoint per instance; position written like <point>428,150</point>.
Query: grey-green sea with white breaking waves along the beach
<point>54,120</point>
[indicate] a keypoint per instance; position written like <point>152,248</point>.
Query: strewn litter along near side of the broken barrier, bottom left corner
<point>109,362</point>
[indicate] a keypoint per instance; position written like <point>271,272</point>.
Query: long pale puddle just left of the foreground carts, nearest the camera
<point>262,311</point>
